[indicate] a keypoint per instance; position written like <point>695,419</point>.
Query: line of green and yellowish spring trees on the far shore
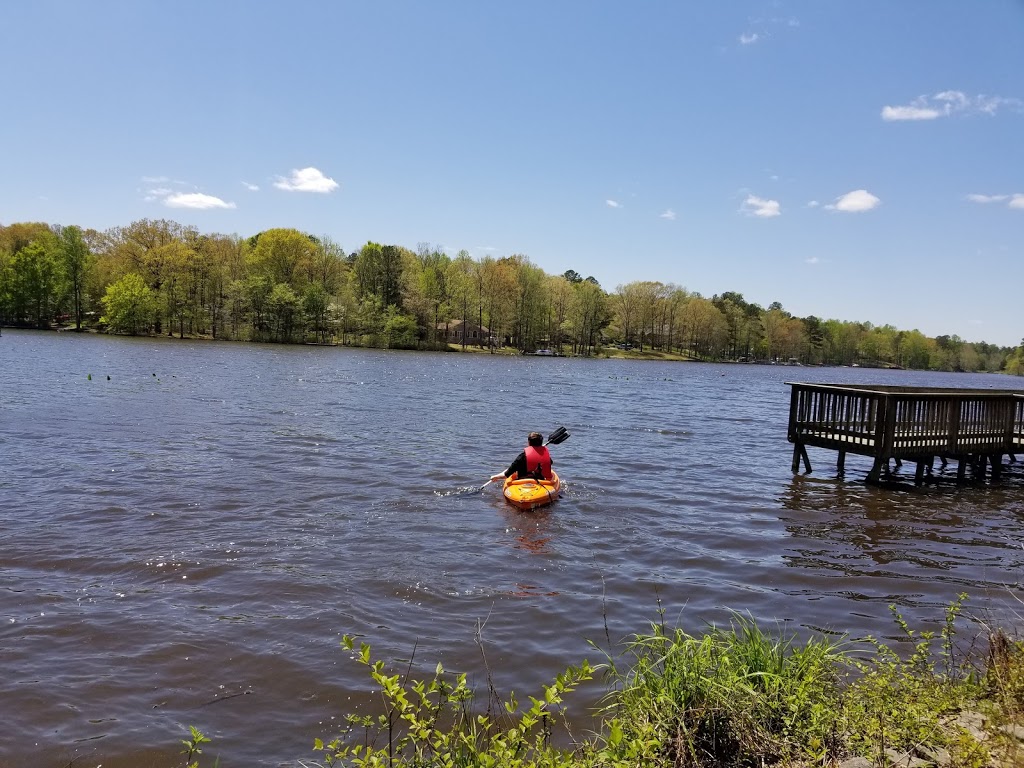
<point>159,277</point>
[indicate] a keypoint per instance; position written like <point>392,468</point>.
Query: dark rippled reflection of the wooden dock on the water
<point>906,548</point>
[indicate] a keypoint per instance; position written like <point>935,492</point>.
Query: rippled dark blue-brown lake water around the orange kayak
<point>186,536</point>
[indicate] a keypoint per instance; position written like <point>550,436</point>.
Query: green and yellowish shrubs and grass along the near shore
<point>737,696</point>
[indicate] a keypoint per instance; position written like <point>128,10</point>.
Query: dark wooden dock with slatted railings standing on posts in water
<point>977,429</point>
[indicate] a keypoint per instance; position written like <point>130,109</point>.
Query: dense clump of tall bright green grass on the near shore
<point>735,697</point>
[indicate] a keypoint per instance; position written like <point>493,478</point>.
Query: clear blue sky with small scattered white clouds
<point>863,161</point>
